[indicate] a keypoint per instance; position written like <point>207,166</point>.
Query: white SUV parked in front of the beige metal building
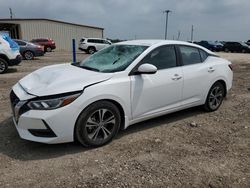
<point>92,45</point>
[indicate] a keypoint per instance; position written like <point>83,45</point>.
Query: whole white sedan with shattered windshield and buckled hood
<point>121,85</point>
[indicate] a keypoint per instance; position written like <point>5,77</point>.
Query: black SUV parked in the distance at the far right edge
<point>236,47</point>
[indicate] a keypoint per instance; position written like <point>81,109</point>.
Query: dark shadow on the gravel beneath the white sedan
<point>14,147</point>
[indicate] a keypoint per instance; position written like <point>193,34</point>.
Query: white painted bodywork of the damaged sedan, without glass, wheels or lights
<point>141,96</point>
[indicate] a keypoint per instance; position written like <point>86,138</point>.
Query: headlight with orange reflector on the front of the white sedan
<point>50,104</point>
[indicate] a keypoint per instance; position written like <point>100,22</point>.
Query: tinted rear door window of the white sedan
<point>190,55</point>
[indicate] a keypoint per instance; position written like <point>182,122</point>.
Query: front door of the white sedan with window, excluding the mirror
<point>155,93</point>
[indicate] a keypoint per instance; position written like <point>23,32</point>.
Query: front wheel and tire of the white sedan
<point>98,124</point>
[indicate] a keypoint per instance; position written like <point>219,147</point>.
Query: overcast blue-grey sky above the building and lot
<point>144,19</point>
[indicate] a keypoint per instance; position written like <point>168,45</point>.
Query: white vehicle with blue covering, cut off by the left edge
<point>9,53</point>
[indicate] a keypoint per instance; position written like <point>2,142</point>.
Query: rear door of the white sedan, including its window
<point>197,73</point>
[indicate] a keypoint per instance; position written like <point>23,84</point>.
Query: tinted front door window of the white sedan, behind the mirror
<point>163,57</point>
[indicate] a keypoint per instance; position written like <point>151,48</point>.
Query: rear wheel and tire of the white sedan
<point>215,97</point>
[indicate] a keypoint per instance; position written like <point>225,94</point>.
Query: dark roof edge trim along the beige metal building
<point>45,19</point>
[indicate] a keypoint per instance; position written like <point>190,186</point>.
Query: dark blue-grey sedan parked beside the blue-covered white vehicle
<point>29,50</point>
